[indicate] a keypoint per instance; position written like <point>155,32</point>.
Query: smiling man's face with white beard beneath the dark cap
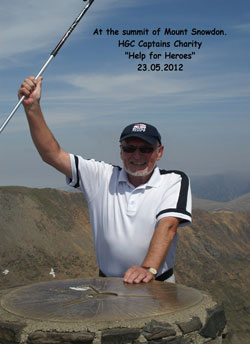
<point>138,163</point>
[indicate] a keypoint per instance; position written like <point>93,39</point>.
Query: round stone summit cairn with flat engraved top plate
<point>107,311</point>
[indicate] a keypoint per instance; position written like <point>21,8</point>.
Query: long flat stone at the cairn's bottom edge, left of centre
<point>41,337</point>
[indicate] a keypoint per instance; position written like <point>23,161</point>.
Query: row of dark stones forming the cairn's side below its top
<point>193,330</point>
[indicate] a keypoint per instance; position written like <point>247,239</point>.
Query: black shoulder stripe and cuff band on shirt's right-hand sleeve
<point>182,200</point>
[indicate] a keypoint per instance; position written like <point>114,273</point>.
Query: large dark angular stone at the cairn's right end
<point>215,322</point>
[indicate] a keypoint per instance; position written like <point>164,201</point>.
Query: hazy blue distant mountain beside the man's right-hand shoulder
<point>220,187</point>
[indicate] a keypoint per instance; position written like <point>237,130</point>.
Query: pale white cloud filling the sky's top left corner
<point>31,25</point>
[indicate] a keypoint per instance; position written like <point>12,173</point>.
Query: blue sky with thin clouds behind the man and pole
<point>91,90</point>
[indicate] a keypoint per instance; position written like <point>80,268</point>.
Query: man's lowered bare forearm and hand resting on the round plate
<point>163,236</point>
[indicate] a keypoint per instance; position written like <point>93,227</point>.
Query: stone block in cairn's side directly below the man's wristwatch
<point>157,330</point>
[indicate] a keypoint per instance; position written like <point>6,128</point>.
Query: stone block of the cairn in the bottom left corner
<point>10,332</point>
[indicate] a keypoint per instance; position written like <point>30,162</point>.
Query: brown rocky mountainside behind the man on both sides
<point>42,229</point>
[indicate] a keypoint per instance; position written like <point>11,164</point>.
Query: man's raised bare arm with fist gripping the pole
<point>45,142</point>
